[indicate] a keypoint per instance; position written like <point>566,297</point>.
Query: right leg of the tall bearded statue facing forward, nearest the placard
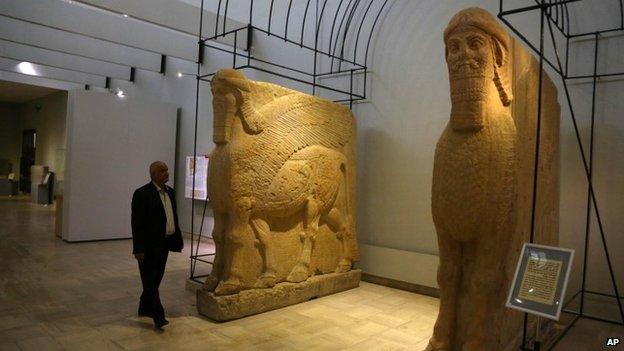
<point>486,294</point>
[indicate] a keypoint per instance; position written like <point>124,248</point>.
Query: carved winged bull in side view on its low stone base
<point>281,181</point>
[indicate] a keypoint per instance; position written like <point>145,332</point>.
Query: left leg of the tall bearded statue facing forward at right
<point>449,279</point>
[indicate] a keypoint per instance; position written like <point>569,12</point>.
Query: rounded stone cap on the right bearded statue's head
<point>478,18</point>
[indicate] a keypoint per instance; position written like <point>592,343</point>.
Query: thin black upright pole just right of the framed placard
<point>590,176</point>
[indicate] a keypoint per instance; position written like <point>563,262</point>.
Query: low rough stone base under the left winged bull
<point>254,301</point>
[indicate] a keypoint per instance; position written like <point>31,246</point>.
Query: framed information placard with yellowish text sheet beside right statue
<point>541,279</point>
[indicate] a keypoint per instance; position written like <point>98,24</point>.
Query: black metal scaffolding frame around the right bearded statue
<point>555,18</point>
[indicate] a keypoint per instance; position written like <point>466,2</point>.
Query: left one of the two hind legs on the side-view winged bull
<point>301,271</point>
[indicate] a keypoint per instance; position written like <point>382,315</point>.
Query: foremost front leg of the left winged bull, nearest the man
<point>235,241</point>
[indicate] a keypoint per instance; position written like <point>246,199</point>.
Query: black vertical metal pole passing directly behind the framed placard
<point>537,146</point>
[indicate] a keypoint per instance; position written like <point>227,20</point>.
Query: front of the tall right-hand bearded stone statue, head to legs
<point>474,185</point>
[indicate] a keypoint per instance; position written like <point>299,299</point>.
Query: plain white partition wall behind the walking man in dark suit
<point>111,142</point>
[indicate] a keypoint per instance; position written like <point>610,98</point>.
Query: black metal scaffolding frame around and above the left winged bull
<point>346,54</point>
